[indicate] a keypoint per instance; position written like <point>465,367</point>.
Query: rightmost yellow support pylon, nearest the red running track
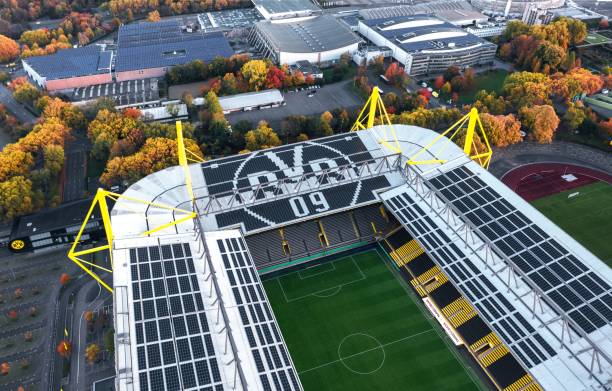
<point>472,119</point>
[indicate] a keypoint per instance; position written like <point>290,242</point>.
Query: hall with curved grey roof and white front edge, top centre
<point>319,39</point>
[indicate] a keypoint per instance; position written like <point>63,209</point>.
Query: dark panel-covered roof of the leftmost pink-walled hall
<point>67,63</point>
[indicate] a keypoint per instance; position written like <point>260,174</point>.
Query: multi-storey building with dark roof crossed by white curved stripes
<point>424,44</point>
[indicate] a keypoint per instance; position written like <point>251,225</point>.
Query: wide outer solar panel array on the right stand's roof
<point>567,281</point>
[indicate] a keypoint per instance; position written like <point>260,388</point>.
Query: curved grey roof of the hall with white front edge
<point>318,34</point>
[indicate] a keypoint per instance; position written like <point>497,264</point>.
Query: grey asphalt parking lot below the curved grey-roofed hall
<point>328,97</point>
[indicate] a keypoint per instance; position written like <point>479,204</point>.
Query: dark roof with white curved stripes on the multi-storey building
<point>423,33</point>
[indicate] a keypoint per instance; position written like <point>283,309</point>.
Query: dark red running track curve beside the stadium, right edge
<point>533,181</point>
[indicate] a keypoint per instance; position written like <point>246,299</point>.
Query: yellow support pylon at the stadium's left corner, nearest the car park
<point>100,200</point>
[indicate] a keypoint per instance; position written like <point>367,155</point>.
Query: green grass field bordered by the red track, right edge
<point>586,217</point>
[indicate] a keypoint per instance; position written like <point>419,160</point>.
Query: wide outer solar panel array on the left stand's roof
<point>173,341</point>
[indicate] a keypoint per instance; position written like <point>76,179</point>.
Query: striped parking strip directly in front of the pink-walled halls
<point>123,93</point>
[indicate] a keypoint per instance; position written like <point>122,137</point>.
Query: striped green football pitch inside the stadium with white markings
<point>350,324</point>
